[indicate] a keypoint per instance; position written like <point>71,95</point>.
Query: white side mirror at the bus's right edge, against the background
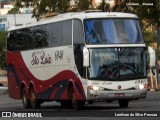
<point>152,57</point>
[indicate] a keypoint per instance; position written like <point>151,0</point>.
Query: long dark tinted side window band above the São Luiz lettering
<point>48,35</point>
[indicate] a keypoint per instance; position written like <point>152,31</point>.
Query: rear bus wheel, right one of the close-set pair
<point>34,102</point>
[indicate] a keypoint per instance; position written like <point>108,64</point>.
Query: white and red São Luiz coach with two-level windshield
<point>77,59</point>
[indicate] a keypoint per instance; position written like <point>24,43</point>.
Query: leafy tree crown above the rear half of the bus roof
<point>42,7</point>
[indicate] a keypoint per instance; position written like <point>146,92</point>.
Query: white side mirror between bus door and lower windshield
<point>85,57</point>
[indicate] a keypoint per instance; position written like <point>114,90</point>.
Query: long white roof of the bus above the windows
<point>76,15</point>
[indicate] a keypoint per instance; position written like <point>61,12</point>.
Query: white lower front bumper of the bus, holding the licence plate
<point>117,95</point>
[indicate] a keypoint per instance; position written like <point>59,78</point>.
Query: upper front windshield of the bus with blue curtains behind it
<point>112,31</point>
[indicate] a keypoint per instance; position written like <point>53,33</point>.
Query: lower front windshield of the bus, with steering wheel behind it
<point>116,63</point>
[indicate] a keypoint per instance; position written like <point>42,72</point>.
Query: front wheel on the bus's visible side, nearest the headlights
<point>76,104</point>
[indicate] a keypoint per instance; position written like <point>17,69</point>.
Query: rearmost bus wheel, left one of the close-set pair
<point>26,102</point>
